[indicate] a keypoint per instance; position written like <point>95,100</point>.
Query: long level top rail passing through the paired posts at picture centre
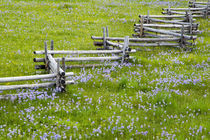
<point>138,39</point>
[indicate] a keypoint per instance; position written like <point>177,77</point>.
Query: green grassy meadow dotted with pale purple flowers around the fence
<point>161,94</point>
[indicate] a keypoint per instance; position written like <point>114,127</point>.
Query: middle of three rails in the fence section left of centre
<point>82,59</point>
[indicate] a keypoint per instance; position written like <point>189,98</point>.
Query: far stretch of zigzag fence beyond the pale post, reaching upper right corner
<point>177,30</point>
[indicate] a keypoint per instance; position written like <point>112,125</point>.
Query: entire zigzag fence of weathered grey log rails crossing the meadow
<point>179,21</point>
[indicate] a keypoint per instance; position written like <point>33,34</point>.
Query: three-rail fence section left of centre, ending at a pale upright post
<point>121,54</point>
